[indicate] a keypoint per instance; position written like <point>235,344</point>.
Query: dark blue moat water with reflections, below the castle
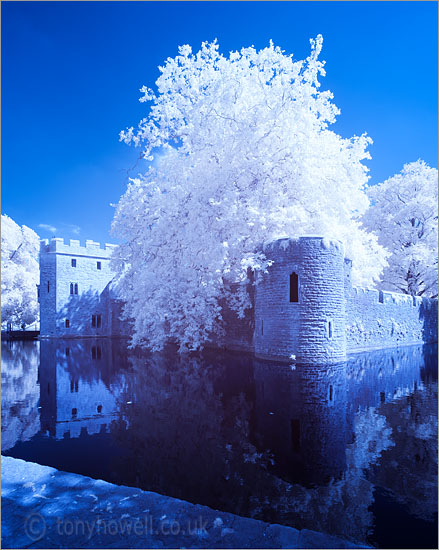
<point>349,450</point>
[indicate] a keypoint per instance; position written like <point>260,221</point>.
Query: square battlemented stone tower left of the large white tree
<point>71,292</point>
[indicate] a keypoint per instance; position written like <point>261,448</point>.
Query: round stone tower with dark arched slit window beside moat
<point>300,302</point>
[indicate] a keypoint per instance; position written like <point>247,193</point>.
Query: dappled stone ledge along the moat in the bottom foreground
<point>46,508</point>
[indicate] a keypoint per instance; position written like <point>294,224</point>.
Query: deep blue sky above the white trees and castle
<point>71,73</point>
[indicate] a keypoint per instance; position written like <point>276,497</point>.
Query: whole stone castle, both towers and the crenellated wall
<point>304,307</point>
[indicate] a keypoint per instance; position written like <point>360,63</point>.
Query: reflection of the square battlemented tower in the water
<point>74,390</point>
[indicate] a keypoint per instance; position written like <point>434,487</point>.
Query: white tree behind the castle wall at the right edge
<point>404,215</point>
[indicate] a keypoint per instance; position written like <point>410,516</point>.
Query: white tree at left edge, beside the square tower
<point>20,274</point>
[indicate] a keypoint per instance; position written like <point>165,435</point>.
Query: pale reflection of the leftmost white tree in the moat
<point>20,392</point>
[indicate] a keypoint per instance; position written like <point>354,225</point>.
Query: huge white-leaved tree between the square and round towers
<point>244,156</point>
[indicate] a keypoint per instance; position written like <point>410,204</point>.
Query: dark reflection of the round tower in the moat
<point>301,418</point>
